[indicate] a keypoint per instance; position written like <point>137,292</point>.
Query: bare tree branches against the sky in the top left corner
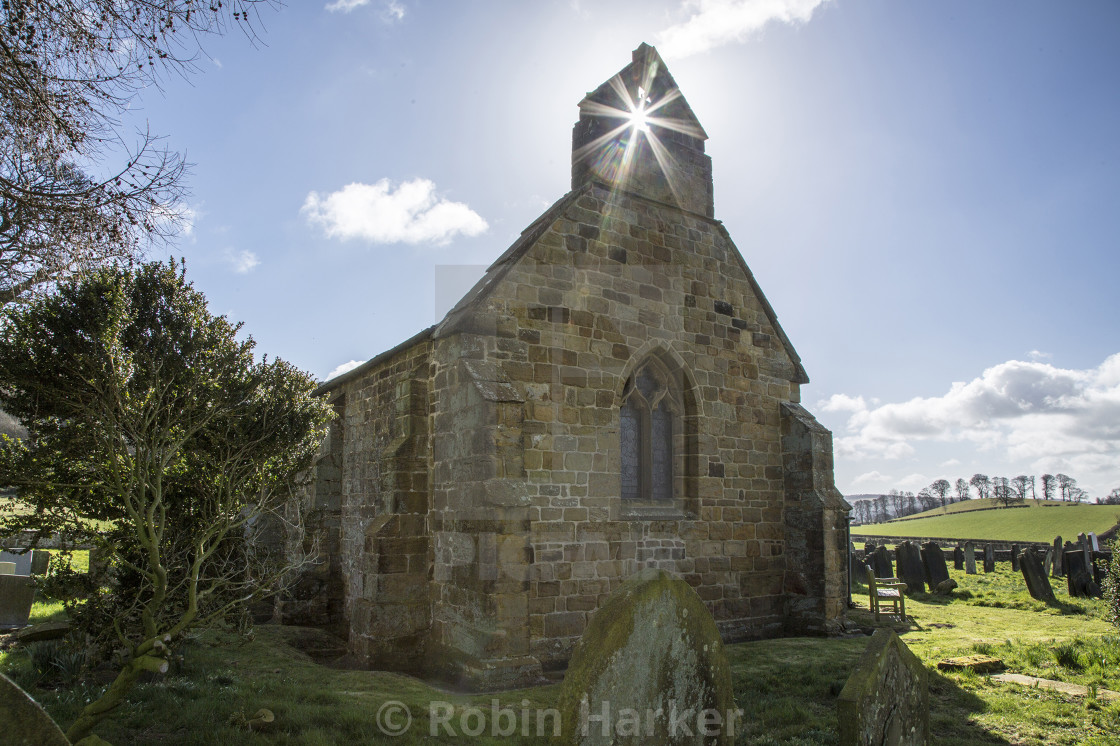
<point>76,191</point>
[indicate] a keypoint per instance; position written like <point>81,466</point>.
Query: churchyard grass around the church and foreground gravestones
<point>788,688</point>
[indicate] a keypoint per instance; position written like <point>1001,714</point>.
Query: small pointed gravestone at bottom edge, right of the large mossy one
<point>888,697</point>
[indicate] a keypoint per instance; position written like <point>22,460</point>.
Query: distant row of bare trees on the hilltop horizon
<point>1005,491</point>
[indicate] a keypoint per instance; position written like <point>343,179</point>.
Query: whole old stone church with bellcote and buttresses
<point>615,394</point>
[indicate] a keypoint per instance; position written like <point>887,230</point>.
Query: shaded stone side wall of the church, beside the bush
<point>386,549</point>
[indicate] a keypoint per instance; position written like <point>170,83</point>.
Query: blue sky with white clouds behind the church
<point>927,193</point>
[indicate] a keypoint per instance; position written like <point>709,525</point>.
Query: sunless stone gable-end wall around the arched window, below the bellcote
<point>612,281</point>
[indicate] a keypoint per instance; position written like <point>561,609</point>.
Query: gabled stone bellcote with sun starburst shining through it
<point>638,134</point>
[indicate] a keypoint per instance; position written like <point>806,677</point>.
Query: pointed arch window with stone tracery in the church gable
<point>649,422</point>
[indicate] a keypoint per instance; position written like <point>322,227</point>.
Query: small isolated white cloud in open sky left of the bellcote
<point>378,213</point>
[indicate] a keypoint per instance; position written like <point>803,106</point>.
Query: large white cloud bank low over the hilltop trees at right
<point>1038,415</point>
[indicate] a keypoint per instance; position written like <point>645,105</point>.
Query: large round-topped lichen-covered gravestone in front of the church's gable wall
<point>650,669</point>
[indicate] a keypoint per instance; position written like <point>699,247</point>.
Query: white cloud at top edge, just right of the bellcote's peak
<point>716,23</point>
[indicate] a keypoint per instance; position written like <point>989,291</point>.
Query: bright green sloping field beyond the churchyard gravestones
<point>1032,524</point>
